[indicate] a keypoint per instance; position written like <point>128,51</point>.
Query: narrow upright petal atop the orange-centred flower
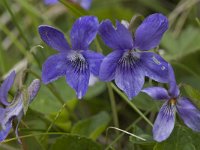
<point>173,88</point>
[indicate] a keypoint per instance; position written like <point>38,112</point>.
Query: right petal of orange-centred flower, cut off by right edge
<point>189,113</point>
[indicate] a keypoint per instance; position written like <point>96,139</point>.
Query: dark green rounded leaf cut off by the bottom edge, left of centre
<point>74,142</point>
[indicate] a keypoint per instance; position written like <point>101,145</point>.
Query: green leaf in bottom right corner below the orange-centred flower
<point>182,138</point>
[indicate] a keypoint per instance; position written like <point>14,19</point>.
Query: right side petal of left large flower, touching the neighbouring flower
<point>94,59</point>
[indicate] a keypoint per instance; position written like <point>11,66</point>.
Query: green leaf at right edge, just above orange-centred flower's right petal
<point>193,94</point>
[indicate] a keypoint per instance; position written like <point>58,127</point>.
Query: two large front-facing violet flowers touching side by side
<point>126,64</point>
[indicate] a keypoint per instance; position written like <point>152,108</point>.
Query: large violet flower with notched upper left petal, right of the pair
<point>126,64</point>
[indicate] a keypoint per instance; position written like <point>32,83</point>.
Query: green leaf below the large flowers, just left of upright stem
<point>92,127</point>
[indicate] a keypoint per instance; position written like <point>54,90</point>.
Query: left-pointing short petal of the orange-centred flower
<point>157,93</point>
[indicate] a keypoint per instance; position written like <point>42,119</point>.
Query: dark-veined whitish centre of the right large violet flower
<point>129,59</point>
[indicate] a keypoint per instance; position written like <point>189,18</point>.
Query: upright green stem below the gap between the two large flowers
<point>113,105</point>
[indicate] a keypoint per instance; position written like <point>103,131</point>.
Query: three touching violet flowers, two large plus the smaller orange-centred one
<point>128,64</point>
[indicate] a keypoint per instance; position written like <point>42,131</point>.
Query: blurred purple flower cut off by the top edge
<point>83,3</point>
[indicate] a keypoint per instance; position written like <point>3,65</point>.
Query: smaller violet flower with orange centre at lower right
<point>165,120</point>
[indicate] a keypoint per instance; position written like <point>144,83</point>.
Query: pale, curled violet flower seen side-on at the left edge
<point>11,110</point>
